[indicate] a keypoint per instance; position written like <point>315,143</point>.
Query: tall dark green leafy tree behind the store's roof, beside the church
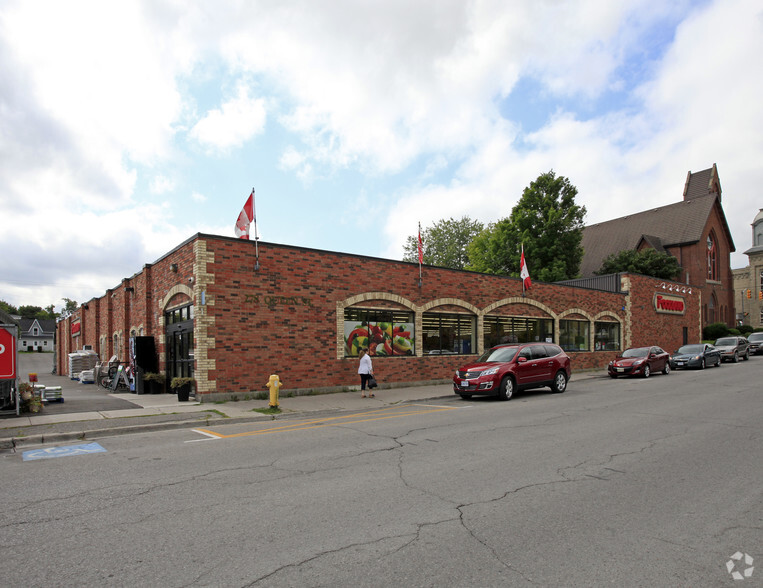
<point>547,221</point>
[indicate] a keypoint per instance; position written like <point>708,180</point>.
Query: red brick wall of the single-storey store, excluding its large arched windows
<point>285,317</point>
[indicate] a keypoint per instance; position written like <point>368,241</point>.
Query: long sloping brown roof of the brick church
<point>681,223</point>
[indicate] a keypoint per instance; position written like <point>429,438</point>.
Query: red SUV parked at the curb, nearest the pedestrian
<point>505,369</point>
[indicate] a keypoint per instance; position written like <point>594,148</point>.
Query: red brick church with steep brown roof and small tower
<point>694,231</point>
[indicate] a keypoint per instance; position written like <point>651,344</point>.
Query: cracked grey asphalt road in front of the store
<point>651,482</point>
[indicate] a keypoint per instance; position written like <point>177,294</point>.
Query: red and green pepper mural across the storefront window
<point>383,338</point>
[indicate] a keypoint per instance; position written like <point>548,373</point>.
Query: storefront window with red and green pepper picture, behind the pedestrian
<point>384,332</point>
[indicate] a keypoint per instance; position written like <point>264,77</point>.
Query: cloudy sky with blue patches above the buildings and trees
<point>125,128</point>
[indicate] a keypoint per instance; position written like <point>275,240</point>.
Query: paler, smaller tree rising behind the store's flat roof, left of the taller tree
<point>444,243</point>
